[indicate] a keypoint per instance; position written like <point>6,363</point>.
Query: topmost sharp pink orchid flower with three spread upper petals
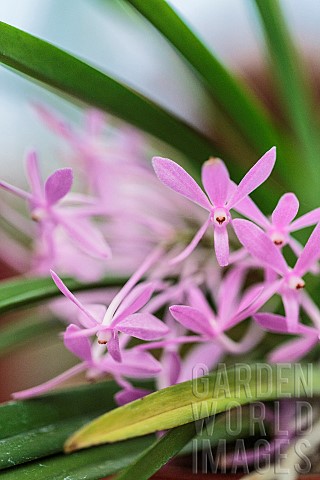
<point>223,195</point>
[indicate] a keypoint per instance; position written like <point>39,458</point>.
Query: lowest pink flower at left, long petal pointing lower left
<point>135,364</point>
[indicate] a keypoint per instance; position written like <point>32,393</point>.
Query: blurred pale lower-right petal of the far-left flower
<point>86,236</point>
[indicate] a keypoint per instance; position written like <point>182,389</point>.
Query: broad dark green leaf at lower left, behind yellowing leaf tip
<point>38,427</point>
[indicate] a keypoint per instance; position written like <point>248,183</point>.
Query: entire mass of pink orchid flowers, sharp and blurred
<point>200,262</point>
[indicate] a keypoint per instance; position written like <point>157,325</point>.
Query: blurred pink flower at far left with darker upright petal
<point>44,203</point>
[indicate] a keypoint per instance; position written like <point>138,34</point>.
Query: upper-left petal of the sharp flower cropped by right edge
<point>259,245</point>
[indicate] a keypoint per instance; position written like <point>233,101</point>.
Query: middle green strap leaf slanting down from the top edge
<point>241,106</point>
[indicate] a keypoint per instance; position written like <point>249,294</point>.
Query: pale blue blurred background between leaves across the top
<point>106,34</point>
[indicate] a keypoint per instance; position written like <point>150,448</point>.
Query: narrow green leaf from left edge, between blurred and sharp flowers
<point>21,292</point>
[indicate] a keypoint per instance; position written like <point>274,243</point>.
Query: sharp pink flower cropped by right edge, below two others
<point>261,247</point>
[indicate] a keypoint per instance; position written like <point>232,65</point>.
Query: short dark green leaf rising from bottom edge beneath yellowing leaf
<point>158,454</point>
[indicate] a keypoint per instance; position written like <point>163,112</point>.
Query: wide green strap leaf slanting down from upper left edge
<point>67,74</point>
